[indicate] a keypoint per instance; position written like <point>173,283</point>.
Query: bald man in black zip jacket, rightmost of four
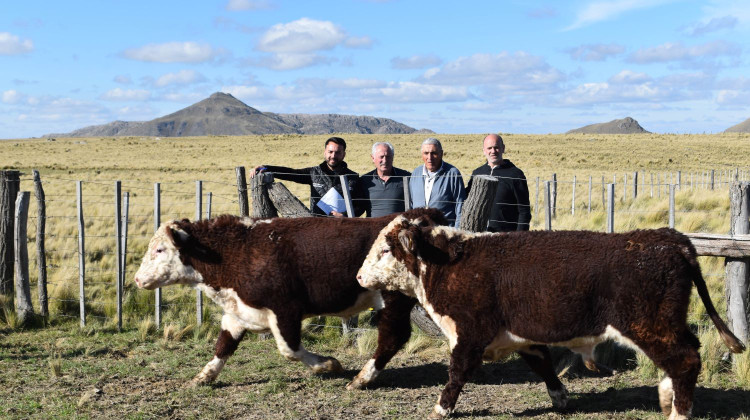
<point>511,210</point>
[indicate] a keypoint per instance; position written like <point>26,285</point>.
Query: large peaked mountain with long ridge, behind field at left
<point>223,114</point>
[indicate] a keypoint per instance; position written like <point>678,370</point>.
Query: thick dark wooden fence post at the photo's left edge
<point>10,183</point>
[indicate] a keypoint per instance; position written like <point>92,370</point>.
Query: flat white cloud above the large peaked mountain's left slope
<point>173,52</point>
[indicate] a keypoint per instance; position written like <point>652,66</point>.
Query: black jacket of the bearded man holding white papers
<point>320,179</point>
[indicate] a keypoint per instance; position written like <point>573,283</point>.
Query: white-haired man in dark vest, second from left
<point>380,192</point>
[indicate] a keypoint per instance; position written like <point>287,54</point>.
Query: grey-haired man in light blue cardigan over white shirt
<point>437,184</point>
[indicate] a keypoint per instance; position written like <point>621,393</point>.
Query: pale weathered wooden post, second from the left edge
<point>24,310</point>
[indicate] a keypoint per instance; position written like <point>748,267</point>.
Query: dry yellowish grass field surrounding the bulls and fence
<point>47,373</point>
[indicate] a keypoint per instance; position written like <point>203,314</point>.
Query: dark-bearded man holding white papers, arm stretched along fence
<point>321,178</point>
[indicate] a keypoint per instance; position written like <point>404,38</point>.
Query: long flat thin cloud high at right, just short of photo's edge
<point>676,51</point>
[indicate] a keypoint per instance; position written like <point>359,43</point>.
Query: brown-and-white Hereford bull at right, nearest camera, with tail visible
<point>492,294</point>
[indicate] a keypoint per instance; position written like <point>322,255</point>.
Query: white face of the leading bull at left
<point>161,266</point>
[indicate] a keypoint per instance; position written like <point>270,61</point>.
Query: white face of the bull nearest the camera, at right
<point>382,270</point>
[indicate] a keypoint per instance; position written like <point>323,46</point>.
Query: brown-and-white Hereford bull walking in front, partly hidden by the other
<point>270,274</point>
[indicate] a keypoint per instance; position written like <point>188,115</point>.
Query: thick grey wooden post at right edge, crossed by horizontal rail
<point>738,269</point>
